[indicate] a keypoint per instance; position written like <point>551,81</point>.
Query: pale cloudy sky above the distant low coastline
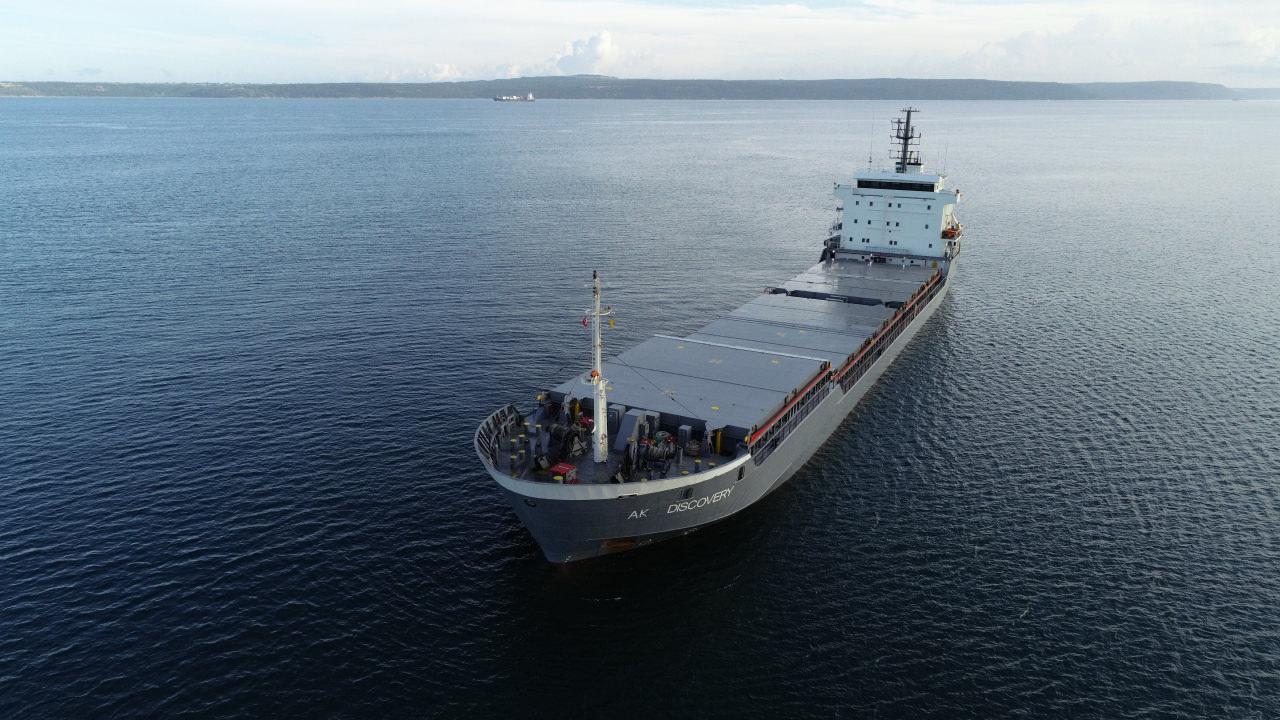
<point>1236,43</point>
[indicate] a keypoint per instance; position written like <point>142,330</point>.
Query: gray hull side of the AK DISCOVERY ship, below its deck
<point>579,522</point>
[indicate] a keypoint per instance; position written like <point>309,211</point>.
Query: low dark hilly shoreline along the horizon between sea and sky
<point>600,88</point>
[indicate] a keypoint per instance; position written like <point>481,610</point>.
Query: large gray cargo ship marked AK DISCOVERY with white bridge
<point>680,432</point>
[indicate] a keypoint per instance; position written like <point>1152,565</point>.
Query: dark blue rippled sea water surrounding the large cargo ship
<point>244,347</point>
